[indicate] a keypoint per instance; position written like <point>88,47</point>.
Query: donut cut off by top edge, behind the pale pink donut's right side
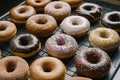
<point>73,3</point>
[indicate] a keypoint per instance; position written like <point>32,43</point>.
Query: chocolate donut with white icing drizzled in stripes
<point>90,10</point>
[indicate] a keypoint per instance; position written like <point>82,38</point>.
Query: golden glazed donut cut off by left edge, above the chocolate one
<point>7,31</point>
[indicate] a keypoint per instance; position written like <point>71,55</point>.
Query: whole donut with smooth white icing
<point>76,26</point>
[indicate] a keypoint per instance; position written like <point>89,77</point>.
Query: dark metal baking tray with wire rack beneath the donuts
<point>82,42</point>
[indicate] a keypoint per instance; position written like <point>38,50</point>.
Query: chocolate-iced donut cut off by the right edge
<point>111,20</point>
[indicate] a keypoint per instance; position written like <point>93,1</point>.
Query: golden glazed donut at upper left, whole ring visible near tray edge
<point>20,14</point>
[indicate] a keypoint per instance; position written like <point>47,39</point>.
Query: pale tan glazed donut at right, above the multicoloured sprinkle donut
<point>105,39</point>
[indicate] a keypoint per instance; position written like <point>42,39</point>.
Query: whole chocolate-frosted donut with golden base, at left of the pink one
<point>25,45</point>
